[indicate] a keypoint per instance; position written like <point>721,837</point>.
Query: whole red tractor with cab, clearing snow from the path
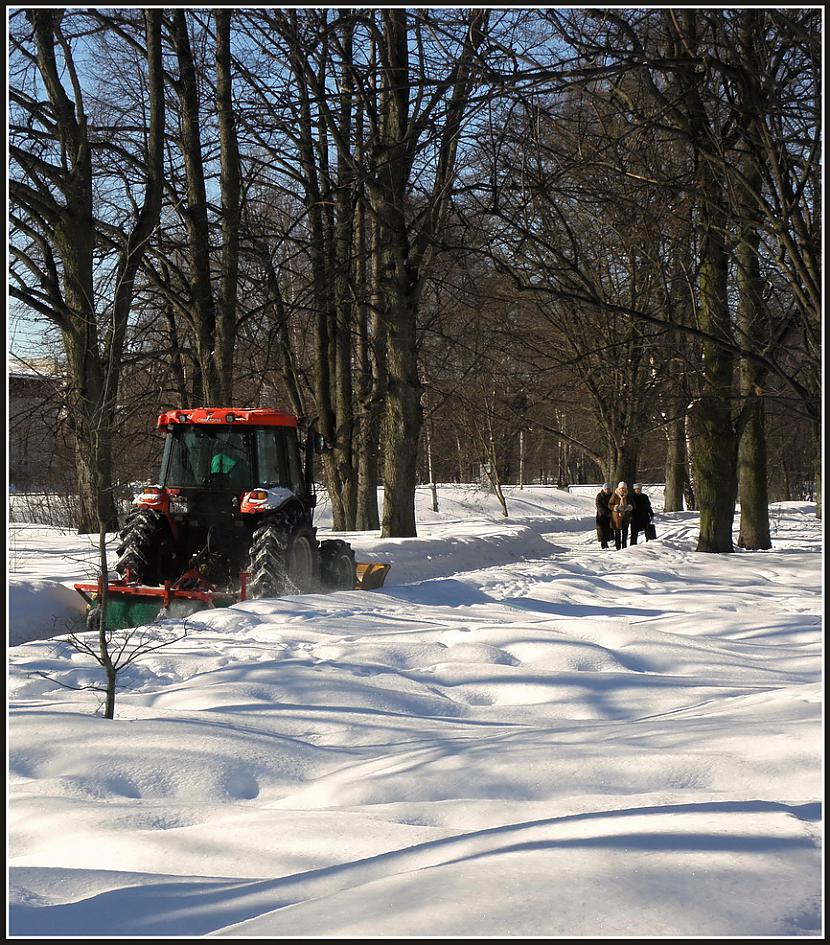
<point>230,519</point>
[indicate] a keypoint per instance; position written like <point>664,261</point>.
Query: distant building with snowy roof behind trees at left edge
<point>37,453</point>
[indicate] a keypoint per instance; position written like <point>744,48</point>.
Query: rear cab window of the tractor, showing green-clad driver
<point>208,458</point>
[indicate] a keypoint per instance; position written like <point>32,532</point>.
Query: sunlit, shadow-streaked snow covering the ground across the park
<point>520,735</point>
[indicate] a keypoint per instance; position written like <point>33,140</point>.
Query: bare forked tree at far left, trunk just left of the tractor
<point>72,265</point>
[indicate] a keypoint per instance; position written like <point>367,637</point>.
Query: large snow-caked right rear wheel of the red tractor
<point>283,557</point>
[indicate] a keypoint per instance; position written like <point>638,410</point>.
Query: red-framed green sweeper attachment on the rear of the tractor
<point>134,605</point>
